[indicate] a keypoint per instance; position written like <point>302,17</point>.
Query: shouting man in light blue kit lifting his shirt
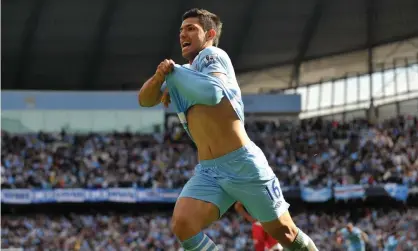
<point>231,167</point>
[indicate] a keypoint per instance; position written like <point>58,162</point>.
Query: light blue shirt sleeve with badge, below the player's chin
<point>212,61</point>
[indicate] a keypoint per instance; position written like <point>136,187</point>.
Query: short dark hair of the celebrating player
<point>208,20</point>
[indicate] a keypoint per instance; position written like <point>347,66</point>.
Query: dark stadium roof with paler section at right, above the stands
<point>116,44</point>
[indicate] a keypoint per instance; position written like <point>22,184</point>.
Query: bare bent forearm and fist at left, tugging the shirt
<point>150,93</point>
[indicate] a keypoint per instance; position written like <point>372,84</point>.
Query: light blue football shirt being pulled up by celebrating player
<point>193,84</point>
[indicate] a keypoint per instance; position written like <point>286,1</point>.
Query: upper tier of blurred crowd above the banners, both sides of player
<point>314,152</point>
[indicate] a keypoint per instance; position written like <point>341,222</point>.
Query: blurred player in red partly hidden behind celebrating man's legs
<point>262,240</point>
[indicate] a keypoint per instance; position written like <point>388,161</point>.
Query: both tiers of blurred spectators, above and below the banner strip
<point>315,153</point>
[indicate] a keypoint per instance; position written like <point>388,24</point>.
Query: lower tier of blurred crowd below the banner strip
<point>152,232</point>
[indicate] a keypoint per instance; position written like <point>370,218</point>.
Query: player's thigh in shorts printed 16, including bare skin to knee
<point>251,181</point>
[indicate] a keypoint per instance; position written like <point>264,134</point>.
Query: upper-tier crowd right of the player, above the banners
<point>325,153</point>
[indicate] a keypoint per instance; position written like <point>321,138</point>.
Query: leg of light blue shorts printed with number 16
<point>250,180</point>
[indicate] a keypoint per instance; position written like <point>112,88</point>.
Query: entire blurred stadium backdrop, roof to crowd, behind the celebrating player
<point>331,96</point>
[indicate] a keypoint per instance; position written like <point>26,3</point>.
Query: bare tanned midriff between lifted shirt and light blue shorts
<point>216,130</point>
